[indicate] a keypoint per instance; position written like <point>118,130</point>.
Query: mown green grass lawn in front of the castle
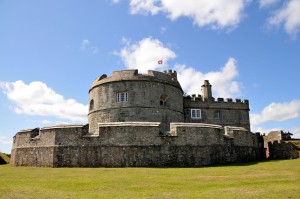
<point>272,179</point>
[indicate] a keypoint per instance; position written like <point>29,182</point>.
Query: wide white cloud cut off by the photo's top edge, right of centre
<point>214,13</point>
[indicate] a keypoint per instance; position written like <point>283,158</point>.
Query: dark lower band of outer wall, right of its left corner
<point>151,156</point>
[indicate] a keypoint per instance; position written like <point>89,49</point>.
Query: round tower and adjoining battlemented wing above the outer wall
<point>158,97</point>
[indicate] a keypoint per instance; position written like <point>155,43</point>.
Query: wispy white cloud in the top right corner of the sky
<point>289,16</point>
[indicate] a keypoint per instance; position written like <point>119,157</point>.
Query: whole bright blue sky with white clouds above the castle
<point>51,51</point>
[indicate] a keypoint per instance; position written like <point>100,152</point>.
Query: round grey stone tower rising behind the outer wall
<point>130,96</point>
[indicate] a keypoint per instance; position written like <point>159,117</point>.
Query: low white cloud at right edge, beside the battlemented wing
<point>277,112</point>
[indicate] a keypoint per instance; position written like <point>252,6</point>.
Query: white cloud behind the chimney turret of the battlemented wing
<point>222,81</point>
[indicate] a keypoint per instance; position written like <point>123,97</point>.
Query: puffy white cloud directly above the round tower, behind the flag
<point>144,55</point>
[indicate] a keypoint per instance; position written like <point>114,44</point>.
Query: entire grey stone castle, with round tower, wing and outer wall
<point>145,120</point>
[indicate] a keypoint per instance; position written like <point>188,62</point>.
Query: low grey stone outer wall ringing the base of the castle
<point>133,145</point>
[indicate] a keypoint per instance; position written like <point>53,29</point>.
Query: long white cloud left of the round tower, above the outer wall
<point>37,98</point>
